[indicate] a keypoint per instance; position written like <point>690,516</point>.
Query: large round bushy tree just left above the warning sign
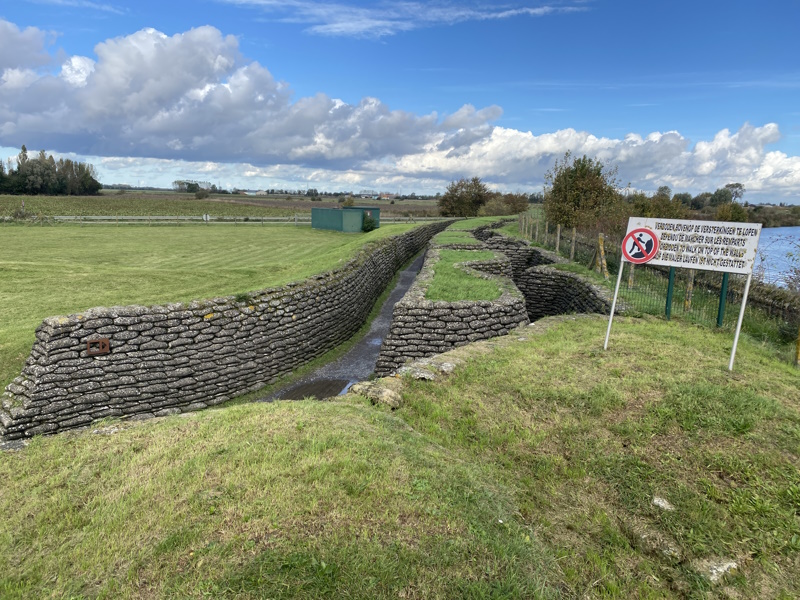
<point>582,192</point>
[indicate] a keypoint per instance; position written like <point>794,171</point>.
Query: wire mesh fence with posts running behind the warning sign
<point>708,298</point>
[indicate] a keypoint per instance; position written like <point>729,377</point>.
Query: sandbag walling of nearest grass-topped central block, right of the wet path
<point>422,328</point>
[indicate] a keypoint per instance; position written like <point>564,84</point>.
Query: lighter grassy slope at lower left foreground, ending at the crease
<point>300,499</point>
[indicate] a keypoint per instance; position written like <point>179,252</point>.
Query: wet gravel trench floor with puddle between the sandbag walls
<point>358,363</point>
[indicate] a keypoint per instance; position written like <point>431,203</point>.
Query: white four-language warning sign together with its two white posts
<point>706,245</point>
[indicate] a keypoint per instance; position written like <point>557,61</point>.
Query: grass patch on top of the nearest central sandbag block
<point>452,284</point>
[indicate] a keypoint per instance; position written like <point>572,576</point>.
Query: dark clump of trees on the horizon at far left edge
<point>43,174</point>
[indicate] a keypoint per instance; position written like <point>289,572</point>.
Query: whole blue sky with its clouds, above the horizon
<point>407,96</point>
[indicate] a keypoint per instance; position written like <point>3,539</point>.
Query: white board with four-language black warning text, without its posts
<point>707,245</point>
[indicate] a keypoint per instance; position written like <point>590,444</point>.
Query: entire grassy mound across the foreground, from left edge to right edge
<point>529,472</point>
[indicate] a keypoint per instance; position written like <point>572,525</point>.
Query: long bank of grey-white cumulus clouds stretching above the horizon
<point>152,106</point>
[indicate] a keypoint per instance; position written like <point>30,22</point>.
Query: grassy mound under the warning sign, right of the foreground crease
<point>587,438</point>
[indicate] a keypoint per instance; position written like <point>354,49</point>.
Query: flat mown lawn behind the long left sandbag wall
<point>63,270</point>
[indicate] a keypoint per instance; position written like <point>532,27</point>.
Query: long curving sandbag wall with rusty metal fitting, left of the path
<point>181,357</point>
